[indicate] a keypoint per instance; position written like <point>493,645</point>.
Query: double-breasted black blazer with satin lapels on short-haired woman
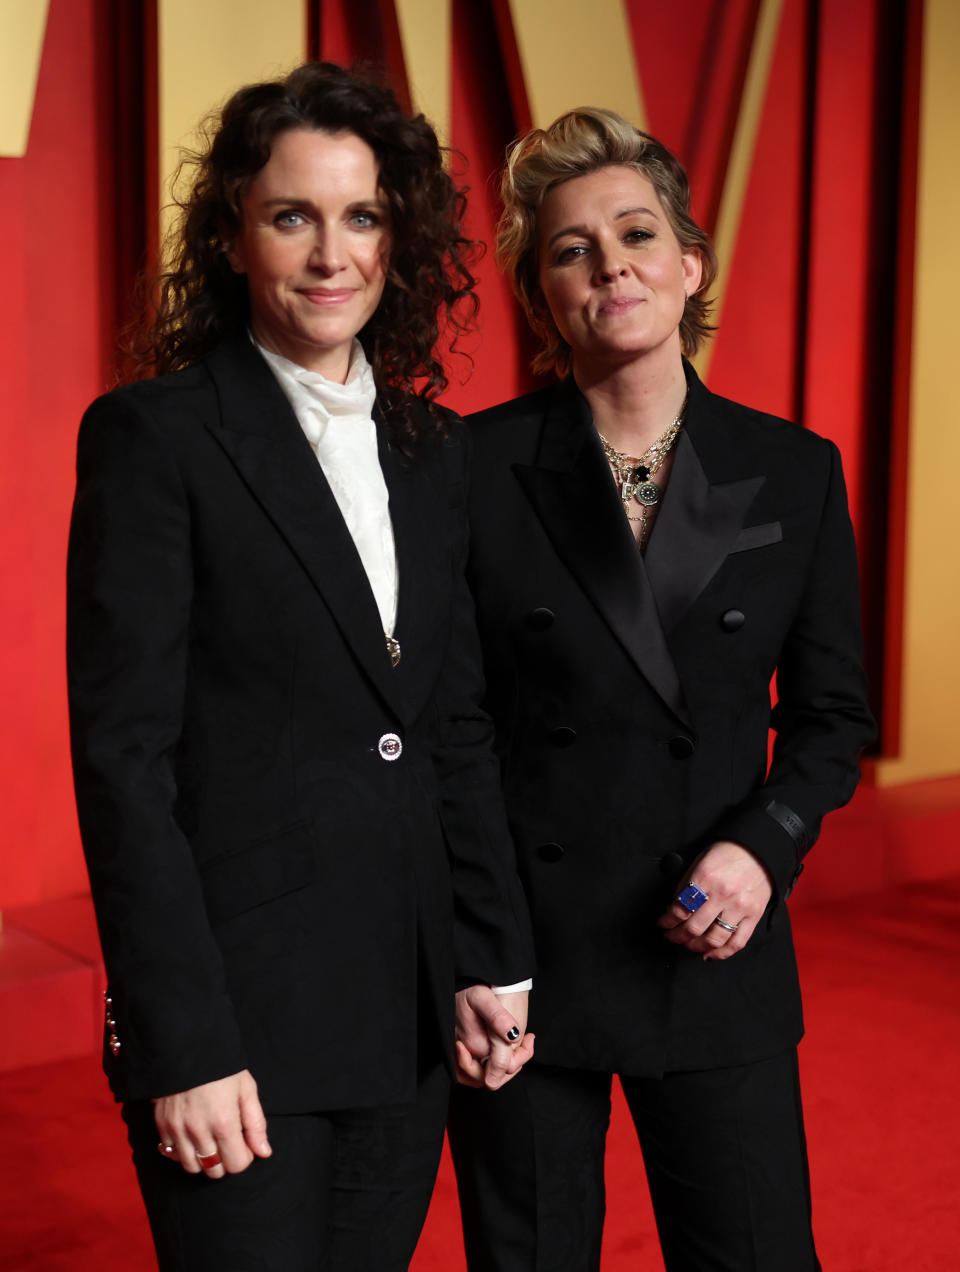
<point>631,699</point>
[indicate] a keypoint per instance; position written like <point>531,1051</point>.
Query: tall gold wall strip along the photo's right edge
<point>930,722</point>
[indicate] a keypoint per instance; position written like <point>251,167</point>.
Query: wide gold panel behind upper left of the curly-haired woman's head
<point>209,49</point>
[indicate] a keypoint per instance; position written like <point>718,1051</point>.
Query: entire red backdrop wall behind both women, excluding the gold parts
<point>807,328</point>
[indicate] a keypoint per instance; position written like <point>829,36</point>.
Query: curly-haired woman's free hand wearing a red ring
<point>221,1120</point>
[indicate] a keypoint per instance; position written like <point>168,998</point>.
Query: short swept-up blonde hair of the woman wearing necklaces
<point>575,144</point>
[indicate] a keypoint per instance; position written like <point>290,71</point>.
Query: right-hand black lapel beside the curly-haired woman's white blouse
<point>423,568</point>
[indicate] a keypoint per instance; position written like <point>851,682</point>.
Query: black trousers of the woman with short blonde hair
<point>724,1152</point>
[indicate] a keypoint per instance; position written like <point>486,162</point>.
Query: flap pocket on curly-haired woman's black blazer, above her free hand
<point>259,873</point>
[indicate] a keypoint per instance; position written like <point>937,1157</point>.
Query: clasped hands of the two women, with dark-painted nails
<point>491,1041</point>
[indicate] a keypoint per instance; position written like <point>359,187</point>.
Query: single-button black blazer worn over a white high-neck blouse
<point>271,881</point>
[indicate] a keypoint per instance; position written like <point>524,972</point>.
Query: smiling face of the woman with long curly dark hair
<point>315,247</point>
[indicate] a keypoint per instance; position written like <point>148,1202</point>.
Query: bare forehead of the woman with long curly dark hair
<point>308,161</point>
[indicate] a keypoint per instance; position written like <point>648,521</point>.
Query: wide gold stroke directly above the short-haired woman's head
<point>575,54</point>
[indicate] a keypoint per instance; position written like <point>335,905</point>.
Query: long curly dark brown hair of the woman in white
<point>199,300</point>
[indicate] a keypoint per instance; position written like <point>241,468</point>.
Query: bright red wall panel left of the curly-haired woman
<point>57,230</point>
